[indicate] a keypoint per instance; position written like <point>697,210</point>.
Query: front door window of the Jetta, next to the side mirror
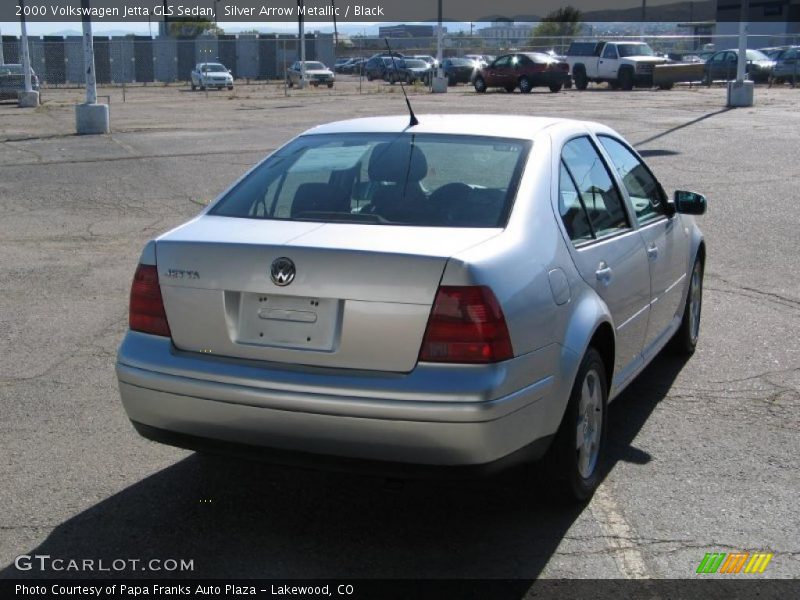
<point>646,195</point>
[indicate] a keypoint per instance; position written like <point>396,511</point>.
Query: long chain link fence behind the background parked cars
<point>58,61</point>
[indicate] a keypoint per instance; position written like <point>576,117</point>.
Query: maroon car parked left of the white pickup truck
<point>523,70</point>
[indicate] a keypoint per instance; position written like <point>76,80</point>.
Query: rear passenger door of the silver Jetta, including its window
<point>607,249</point>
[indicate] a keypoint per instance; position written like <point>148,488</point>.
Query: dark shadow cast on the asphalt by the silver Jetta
<point>238,519</point>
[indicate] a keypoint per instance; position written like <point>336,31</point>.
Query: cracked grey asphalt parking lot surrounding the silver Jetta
<point>703,454</point>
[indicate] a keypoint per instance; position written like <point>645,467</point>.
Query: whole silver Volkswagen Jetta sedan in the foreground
<point>468,291</point>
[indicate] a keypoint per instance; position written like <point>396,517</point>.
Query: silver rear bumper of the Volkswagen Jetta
<point>435,415</point>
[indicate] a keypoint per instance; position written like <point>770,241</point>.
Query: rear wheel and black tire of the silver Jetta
<point>576,476</point>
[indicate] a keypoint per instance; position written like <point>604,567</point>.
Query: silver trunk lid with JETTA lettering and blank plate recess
<point>360,296</point>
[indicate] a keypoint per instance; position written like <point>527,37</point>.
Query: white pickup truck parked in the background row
<point>621,64</point>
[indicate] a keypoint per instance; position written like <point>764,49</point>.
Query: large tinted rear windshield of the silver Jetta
<point>384,179</point>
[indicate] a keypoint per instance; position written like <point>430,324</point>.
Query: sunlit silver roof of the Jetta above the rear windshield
<point>501,126</point>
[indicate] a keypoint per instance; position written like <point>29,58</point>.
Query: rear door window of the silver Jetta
<point>597,191</point>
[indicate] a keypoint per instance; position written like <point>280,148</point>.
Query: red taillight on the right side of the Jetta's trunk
<point>466,326</point>
